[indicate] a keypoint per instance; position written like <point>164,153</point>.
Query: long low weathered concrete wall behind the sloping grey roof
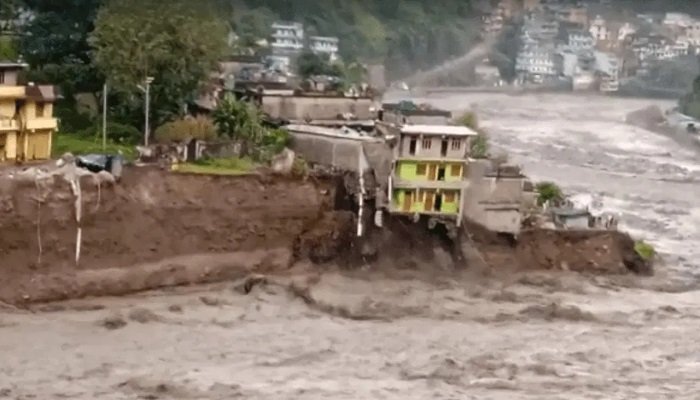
<point>304,107</point>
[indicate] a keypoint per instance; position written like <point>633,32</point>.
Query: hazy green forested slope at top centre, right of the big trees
<point>405,35</point>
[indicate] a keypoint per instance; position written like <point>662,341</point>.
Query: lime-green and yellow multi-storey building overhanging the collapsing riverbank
<point>429,171</point>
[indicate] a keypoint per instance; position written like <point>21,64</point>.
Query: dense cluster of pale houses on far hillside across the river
<point>591,44</point>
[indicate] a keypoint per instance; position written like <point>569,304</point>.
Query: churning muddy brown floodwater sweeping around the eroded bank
<point>408,334</point>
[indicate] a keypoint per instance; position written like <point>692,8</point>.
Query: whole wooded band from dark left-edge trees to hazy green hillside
<point>79,45</point>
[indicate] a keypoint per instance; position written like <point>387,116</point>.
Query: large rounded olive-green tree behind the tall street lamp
<point>176,42</point>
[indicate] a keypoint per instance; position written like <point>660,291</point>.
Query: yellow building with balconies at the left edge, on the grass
<point>27,124</point>
